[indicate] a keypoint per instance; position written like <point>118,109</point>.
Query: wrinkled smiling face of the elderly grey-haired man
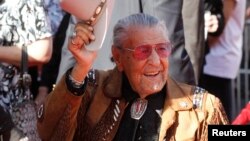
<point>146,75</point>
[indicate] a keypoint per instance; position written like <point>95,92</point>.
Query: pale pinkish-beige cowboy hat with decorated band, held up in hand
<point>95,12</point>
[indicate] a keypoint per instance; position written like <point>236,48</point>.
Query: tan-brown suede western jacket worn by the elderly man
<point>96,115</point>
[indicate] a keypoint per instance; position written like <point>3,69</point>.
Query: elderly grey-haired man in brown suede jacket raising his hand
<point>137,100</point>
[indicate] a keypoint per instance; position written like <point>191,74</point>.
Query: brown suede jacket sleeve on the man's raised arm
<point>59,114</point>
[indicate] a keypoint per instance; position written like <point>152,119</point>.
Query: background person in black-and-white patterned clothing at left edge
<point>23,23</point>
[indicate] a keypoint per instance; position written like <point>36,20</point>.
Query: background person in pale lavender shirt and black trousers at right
<point>222,62</point>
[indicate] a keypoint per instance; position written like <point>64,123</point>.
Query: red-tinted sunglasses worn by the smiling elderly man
<point>144,51</point>
